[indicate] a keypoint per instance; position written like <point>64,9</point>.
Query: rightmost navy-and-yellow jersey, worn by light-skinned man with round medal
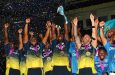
<point>86,57</point>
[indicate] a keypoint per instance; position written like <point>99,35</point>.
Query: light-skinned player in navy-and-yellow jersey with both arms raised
<point>86,49</point>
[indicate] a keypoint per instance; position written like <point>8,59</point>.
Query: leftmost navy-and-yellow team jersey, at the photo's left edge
<point>12,58</point>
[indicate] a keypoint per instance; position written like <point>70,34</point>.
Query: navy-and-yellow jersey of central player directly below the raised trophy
<point>60,53</point>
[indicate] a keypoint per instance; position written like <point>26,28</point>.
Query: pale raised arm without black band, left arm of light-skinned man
<point>77,40</point>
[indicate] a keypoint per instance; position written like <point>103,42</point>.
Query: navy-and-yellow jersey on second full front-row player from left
<point>34,55</point>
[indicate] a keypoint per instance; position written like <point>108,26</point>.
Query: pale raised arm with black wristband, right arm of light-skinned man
<point>94,36</point>
